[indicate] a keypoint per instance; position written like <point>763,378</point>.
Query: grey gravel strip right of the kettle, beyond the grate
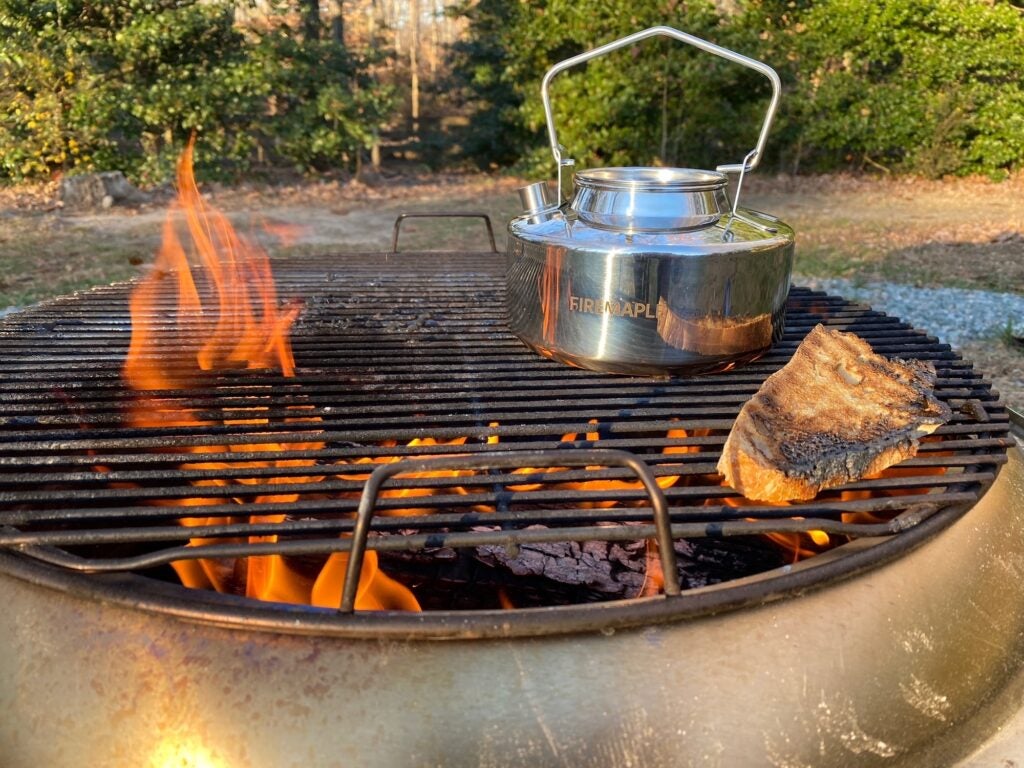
<point>956,316</point>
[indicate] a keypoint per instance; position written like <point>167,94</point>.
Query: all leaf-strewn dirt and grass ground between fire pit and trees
<point>964,233</point>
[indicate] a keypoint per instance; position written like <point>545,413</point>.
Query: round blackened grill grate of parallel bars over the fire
<point>397,355</point>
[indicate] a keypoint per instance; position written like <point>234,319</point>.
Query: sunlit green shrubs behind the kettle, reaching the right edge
<point>923,87</point>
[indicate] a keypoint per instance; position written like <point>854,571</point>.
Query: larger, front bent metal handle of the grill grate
<point>510,460</point>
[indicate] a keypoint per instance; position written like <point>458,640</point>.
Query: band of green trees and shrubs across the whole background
<point>924,88</point>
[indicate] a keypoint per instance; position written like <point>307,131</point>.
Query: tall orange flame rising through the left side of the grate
<point>227,316</point>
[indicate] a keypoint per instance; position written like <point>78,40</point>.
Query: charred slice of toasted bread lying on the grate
<point>834,414</point>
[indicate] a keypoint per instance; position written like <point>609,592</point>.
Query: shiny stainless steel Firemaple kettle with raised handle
<point>649,271</point>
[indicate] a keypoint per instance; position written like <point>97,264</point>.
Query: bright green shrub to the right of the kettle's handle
<point>928,87</point>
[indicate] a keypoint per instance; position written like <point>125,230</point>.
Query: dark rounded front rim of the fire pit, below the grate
<point>227,611</point>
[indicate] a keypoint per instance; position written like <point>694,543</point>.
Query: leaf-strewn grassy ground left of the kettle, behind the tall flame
<point>52,253</point>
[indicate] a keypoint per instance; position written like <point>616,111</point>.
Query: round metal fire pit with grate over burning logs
<point>889,649</point>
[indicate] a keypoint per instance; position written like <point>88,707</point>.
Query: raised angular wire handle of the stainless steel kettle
<point>753,158</point>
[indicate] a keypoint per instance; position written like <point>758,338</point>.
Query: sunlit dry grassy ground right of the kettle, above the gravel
<point>937,234</point>
